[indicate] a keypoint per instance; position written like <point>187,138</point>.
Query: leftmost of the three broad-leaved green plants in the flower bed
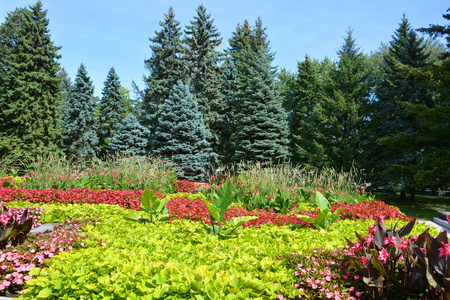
<point>155,209</point>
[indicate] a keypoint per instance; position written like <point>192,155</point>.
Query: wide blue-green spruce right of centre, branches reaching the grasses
<point>261,127</point>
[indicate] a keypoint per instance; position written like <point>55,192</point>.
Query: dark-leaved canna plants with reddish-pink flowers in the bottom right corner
<point>391,265</point>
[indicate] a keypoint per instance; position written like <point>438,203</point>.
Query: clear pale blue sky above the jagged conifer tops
<point>115,33</point>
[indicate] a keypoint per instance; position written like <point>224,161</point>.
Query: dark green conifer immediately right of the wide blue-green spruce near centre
<point>306,100</point>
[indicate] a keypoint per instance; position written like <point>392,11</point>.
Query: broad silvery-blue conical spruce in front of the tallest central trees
<point>180,134</point>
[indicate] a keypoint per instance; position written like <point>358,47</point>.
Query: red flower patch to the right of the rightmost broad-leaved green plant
<point>375,210</point>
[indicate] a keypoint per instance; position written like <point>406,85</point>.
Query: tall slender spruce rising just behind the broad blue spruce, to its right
<point>203,59</point>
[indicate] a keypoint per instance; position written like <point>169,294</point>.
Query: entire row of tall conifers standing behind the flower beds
<point>385,112</point>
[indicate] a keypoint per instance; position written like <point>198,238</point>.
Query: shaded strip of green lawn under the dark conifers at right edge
<point>424,207</point>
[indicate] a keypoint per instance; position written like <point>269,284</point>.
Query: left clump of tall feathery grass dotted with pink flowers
<point>115,173</point>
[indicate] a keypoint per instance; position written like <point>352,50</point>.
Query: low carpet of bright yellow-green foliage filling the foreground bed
<point>177,260</point>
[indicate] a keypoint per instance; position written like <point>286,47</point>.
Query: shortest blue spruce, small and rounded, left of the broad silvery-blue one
<point>130,139</point>
